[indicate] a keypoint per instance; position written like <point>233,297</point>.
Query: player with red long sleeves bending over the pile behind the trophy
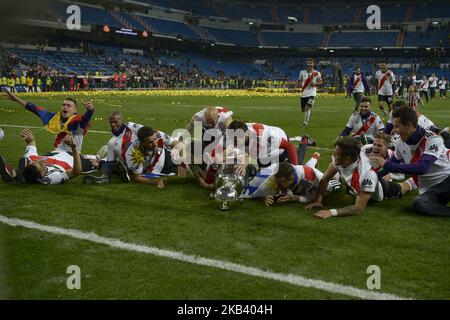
<point>264,143</point>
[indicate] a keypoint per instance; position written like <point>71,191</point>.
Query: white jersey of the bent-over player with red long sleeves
<point>266,146</point>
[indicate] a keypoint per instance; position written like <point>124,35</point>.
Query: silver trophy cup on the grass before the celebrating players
<point>228,186</point>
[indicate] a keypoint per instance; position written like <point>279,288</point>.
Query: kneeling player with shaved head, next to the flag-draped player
<point>124,134</point>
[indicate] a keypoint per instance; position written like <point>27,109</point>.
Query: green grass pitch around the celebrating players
<point>412,251</point>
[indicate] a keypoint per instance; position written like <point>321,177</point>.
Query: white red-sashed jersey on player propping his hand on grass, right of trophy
<point>359,176</point>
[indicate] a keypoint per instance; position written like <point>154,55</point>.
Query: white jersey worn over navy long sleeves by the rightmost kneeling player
<point>430,144</point>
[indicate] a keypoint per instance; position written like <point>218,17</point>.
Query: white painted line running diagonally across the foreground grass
<point>292,279</point>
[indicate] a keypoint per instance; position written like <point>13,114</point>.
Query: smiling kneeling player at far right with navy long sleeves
<point>422,154</point>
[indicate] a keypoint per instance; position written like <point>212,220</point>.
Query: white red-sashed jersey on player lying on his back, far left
<point>56,165</point>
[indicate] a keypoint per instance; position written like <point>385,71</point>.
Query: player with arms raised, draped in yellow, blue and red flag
<point>62,123</point>
